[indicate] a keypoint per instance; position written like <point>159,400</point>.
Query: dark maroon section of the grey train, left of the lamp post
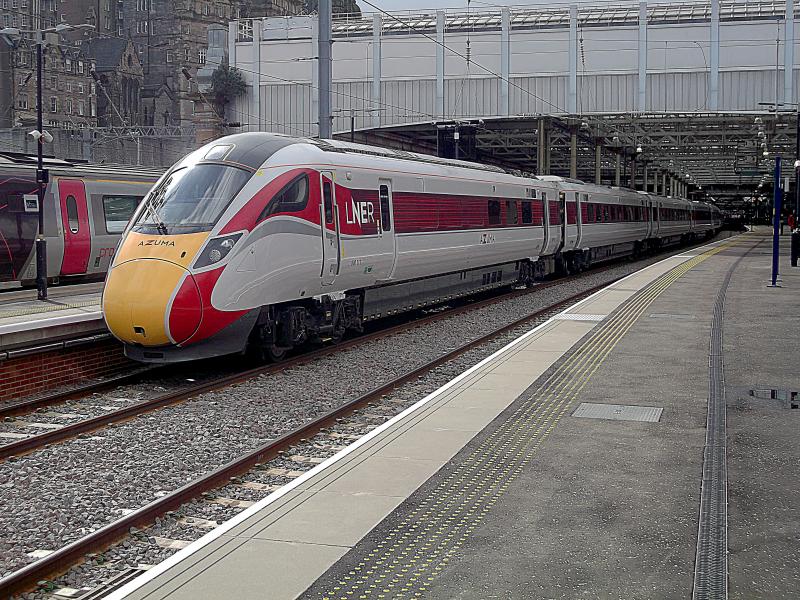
<point>18,226</point>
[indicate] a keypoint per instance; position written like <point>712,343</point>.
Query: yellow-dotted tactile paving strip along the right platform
<point>405,563</point>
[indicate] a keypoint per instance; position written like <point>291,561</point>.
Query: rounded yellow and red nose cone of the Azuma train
<point>141,294</point>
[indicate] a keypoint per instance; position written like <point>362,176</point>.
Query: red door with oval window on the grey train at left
<point>75,218</point>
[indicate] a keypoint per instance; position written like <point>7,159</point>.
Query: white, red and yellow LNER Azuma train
<point>262,242</point>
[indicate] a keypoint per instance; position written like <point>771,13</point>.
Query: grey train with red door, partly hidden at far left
<point>86,209</point>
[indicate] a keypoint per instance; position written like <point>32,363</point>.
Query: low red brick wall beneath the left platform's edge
<point>39,373</point>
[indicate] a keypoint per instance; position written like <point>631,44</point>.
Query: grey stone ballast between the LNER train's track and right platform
<point>56,495</point>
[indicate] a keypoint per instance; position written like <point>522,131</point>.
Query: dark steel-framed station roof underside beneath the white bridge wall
<point>720,155</point>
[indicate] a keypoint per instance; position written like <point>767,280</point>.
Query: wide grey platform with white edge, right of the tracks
<point>641,444</point>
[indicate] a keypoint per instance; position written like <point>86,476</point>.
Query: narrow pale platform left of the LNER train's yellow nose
<point>68,312</point>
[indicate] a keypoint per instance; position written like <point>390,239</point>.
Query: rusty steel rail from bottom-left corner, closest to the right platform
<point>61,560</point>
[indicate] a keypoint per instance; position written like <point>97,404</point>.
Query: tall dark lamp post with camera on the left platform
<point>41,136</point>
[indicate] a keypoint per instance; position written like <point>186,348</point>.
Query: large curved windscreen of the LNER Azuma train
<point>190,199</point>
